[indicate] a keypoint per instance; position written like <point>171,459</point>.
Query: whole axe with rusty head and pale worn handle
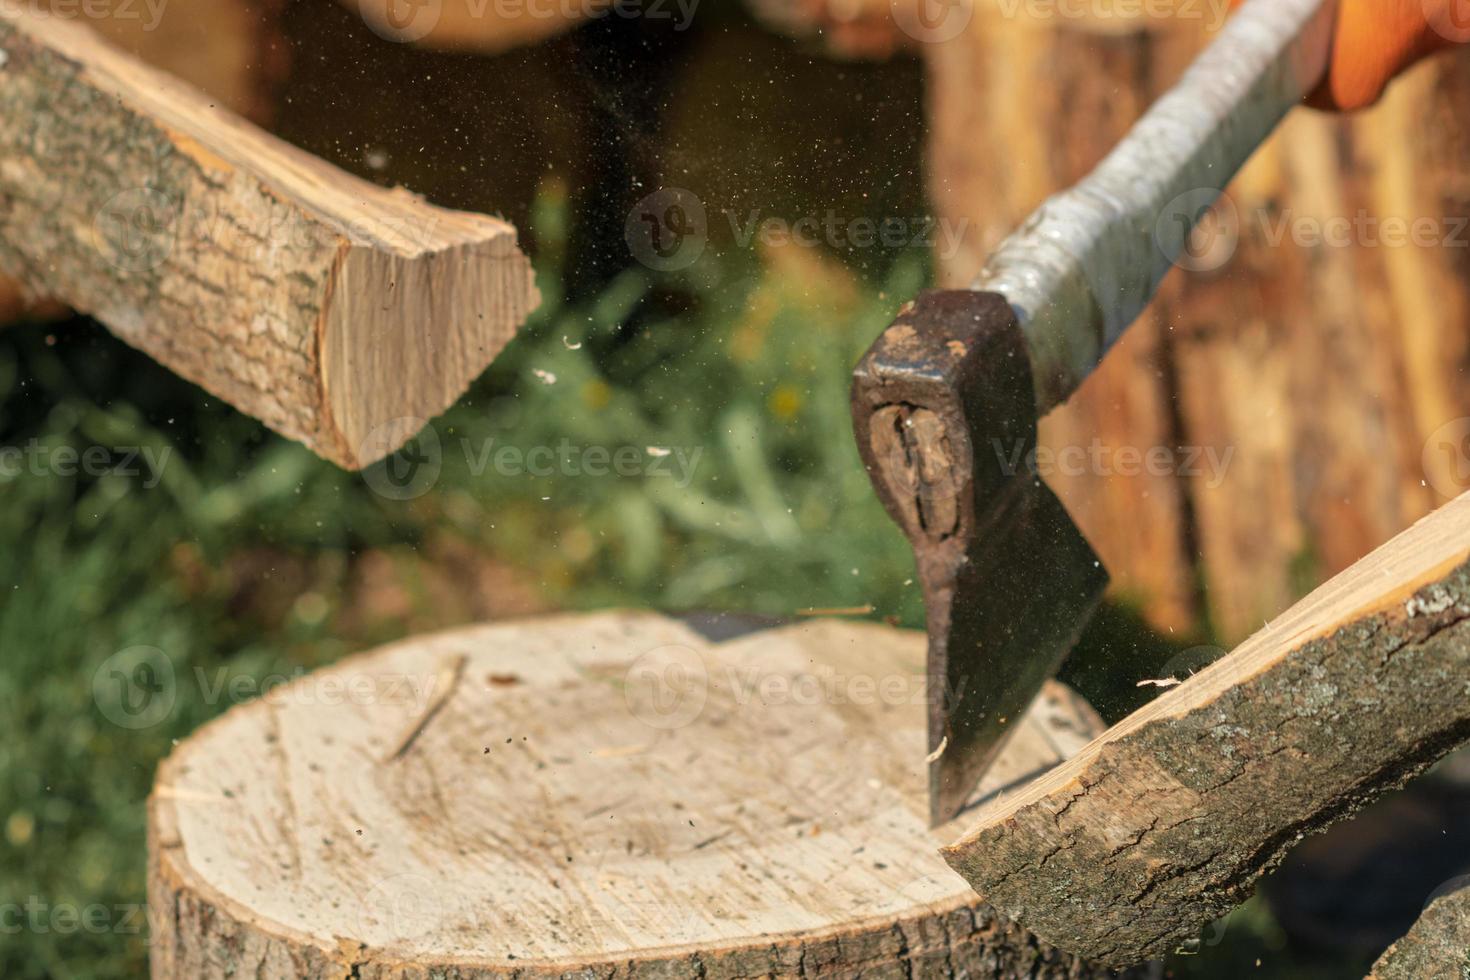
<point>946,402</point>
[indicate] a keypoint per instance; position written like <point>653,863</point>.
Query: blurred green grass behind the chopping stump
<point>246,555</point>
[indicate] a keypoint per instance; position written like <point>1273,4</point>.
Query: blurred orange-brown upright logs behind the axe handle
<point>1319,342</point>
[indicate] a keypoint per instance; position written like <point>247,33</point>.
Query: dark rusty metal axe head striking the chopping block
<point>944,409</point>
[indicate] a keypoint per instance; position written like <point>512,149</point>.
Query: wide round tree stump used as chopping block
<point>586,797</point>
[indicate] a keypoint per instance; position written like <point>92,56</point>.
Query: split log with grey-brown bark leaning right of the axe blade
<point>1168,821</point>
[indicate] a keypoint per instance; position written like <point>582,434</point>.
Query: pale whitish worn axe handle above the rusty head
<point>1090,259</point>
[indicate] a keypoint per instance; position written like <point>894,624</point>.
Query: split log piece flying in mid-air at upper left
<point>340,314</point>
